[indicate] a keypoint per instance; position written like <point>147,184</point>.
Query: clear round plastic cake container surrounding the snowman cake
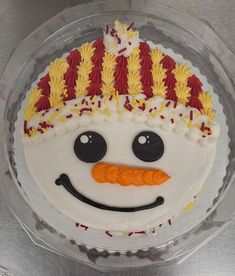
<point>184,34</point>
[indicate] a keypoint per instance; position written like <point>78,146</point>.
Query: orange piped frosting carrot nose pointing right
<point>126,176</point>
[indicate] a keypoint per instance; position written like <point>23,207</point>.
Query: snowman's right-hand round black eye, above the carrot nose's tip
<point>148,146</point>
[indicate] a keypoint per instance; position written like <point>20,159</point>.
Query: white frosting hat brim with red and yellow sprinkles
<point>169,118</point>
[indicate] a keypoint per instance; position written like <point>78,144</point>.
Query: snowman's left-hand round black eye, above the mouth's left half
<point>90,147</point>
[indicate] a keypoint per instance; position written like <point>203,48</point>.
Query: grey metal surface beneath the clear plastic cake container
<point>17,253</point>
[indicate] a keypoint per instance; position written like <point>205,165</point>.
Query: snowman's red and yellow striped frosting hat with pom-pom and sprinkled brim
<point>119,75</point>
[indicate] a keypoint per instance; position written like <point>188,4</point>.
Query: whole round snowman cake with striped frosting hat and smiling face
<point>117,134</point>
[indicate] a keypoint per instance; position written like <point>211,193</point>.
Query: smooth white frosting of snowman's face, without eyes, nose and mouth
<point>184,160</point>
